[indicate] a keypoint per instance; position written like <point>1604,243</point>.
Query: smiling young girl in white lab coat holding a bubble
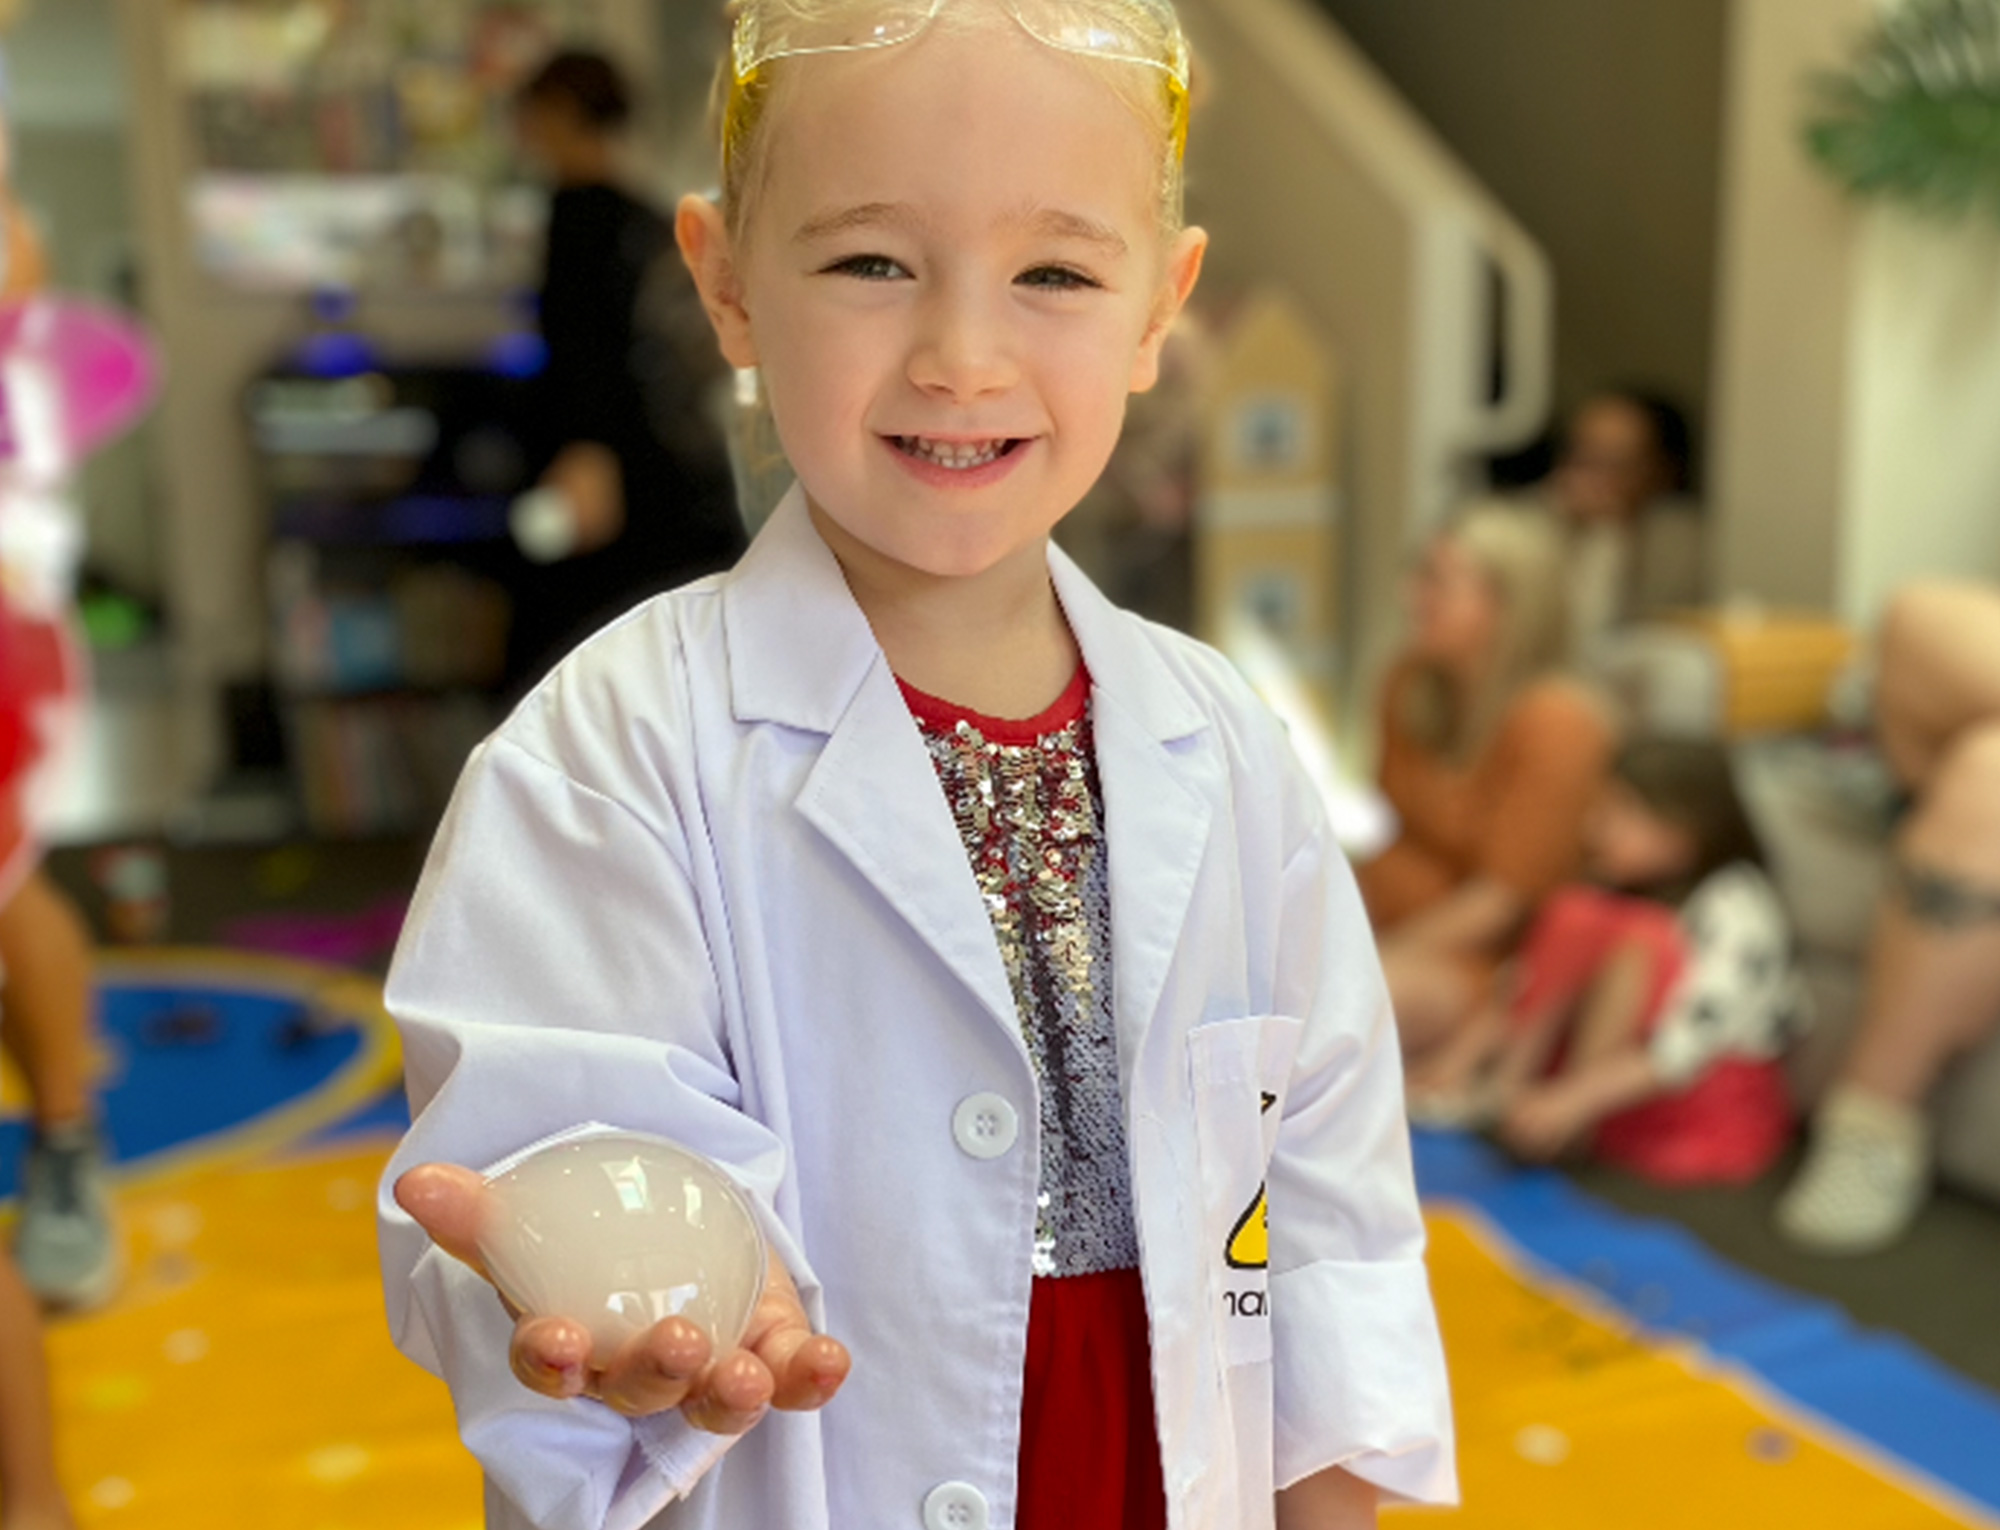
<point>989,935</point>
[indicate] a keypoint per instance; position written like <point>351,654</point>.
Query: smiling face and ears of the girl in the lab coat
<point>953,279</point>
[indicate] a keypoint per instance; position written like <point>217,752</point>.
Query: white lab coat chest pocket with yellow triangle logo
<point>1239,1073</point>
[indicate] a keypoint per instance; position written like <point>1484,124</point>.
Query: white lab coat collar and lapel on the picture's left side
<point>803,655</point>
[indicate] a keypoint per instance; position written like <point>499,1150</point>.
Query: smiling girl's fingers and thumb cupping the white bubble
<point>779,1365</point>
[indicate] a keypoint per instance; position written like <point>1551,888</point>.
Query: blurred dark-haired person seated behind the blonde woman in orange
<point>1637,543</point>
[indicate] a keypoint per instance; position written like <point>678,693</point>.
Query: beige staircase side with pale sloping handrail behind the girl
<point>1315,177</point>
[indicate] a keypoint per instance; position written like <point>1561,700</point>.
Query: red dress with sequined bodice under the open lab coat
<point>1027,803</point>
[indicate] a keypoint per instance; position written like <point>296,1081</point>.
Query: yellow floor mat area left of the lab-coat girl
<point>245,1377</point>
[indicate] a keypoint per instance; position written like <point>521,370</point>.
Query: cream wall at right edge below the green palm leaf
<point>1857,355</point>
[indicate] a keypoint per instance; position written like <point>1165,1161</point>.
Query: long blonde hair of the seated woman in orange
<point>1521,555</point>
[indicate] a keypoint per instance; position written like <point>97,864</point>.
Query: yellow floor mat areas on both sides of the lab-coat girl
<point>245,1379</point>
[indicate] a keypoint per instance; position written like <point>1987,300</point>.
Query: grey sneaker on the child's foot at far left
<point>65,1243</point>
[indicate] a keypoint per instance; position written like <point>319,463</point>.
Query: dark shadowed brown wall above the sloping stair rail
<point>1597,123</point>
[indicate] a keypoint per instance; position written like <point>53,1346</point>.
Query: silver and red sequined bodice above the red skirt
<point>1029,811</point>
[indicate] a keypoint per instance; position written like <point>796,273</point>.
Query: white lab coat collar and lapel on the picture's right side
<point>1155,765</point>
